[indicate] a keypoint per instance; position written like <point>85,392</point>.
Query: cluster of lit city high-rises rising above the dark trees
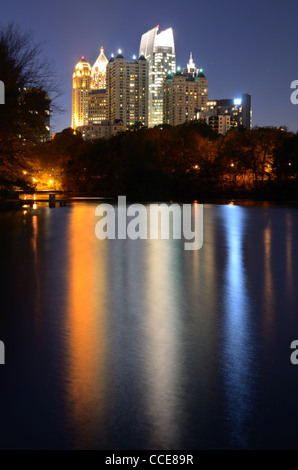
<point>115,95</point>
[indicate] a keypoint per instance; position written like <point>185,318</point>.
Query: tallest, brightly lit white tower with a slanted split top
<point>159,50</point>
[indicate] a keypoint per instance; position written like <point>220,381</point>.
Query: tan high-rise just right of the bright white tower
<point>183,96</point>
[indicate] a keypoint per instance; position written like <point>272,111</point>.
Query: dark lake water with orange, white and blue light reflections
<point>142,345</point>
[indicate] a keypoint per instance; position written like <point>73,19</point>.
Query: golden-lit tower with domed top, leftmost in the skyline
<point>81,85</point>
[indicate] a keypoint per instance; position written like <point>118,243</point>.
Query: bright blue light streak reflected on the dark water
<point>237,351</point>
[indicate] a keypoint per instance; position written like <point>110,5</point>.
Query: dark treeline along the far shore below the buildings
<point>184,162</point>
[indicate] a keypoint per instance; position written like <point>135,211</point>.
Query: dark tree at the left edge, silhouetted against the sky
<point>30,93</point>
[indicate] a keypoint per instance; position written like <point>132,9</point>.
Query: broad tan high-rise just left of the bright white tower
<point>127,90</point>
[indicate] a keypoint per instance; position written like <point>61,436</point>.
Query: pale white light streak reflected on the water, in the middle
<point>163,366</point>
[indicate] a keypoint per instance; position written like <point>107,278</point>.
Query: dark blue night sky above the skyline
<point>243,46</point>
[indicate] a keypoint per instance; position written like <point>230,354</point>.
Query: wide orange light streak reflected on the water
<point>86,330</point>
